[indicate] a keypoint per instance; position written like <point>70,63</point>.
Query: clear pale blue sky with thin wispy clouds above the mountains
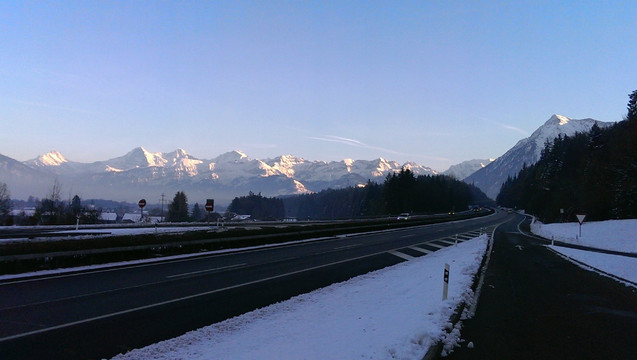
<point>435,82</point>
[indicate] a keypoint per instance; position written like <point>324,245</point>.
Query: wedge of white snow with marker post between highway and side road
<point>393,313</point>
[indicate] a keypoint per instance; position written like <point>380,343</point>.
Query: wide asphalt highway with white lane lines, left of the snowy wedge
<point>100,313</point>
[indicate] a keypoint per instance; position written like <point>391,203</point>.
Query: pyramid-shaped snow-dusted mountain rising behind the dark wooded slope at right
<point>527,151</point>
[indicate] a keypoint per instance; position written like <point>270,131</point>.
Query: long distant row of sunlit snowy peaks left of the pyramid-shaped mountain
<point>143,174</point>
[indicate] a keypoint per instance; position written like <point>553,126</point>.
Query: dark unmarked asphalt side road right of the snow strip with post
<point>536,305</point>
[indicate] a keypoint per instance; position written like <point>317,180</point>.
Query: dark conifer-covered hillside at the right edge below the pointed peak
<point>592,173</point>
